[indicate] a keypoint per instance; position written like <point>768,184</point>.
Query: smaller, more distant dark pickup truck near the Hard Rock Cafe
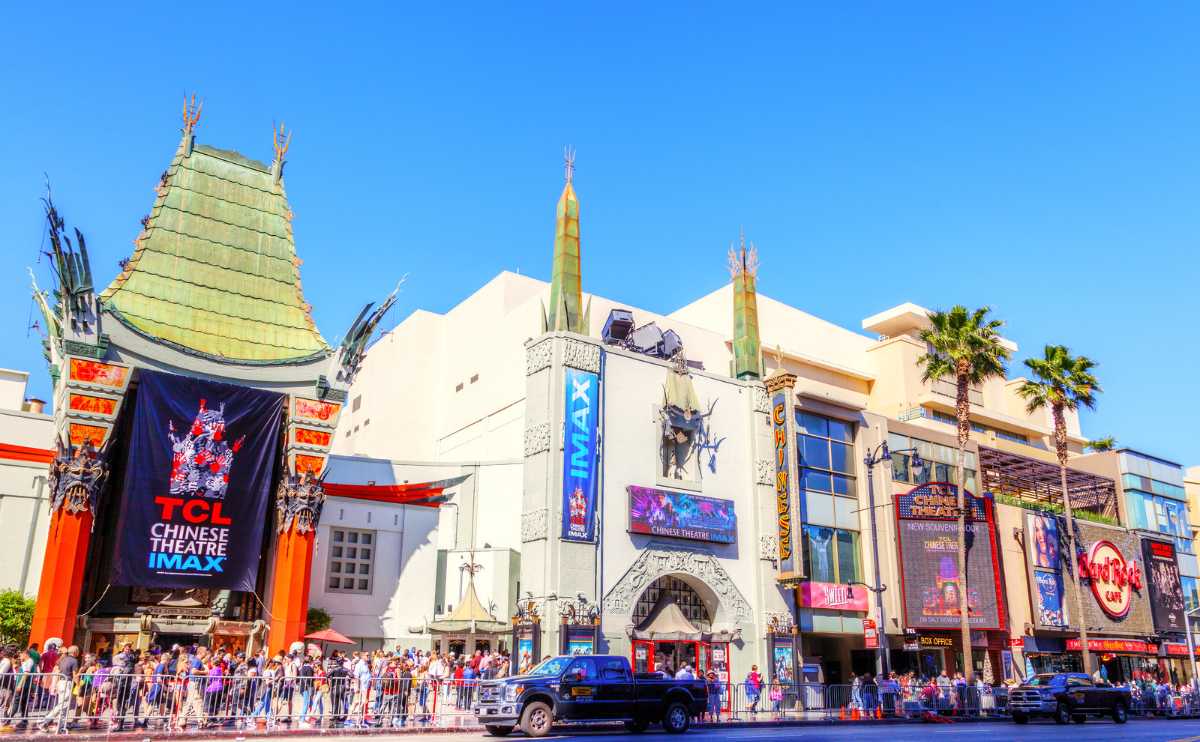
<point>1069,697</point>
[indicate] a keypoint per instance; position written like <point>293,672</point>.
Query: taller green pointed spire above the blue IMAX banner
<point>567,312</point>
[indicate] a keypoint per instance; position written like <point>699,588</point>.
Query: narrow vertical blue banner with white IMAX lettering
<point>580,456</point>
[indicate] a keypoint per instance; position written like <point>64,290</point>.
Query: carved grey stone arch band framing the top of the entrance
<point>661,560</point>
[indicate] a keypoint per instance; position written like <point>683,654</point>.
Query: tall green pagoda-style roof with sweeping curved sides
<point>215,271</point>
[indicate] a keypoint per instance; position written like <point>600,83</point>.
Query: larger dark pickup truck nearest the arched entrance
<point>589,690</point>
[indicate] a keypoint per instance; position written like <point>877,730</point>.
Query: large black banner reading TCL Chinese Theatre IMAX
<point>197,482</point>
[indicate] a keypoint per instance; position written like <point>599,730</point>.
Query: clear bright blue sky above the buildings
<point>1040,160</point>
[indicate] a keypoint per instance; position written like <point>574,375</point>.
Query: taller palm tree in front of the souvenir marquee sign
<point>965,346</point>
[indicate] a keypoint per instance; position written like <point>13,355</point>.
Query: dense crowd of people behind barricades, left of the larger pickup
<point>194,687</point>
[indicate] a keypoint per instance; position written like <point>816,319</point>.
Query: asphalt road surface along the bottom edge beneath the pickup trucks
<point>1101,732</point>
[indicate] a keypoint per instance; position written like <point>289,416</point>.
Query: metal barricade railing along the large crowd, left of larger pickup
<point>119,702</point>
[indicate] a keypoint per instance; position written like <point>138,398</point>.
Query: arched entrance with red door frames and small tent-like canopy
<point>674,630</point>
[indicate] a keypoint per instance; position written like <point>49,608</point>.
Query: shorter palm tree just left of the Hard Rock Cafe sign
<point>1064,382</point>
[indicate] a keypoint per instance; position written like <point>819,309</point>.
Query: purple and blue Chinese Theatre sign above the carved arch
<point>682,516</point>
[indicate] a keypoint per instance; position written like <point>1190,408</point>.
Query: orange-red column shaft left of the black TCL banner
<point>58,596</point>
